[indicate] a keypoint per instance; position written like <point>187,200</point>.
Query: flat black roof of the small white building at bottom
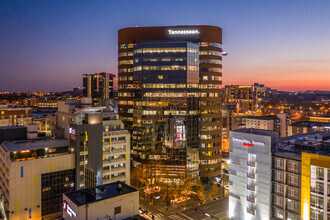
<point>107,191</point>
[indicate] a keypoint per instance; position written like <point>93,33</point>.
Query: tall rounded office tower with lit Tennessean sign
<point>169,96</point>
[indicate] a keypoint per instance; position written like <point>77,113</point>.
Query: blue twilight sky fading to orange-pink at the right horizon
<point>48,45</point>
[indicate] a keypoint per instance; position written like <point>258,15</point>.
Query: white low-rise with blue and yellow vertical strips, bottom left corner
<point>33,176</point>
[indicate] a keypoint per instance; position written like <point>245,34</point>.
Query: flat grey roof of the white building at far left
<point>34,144</point>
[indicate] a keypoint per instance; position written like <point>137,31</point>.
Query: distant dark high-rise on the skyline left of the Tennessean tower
<point>98,86</point>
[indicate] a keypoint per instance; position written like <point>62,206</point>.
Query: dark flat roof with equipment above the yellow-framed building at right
<point>314,142</point>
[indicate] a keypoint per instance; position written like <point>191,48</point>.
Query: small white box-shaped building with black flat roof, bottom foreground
<point>110,201</point>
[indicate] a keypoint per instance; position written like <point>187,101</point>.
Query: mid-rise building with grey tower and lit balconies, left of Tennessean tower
<point>102,146</point>
